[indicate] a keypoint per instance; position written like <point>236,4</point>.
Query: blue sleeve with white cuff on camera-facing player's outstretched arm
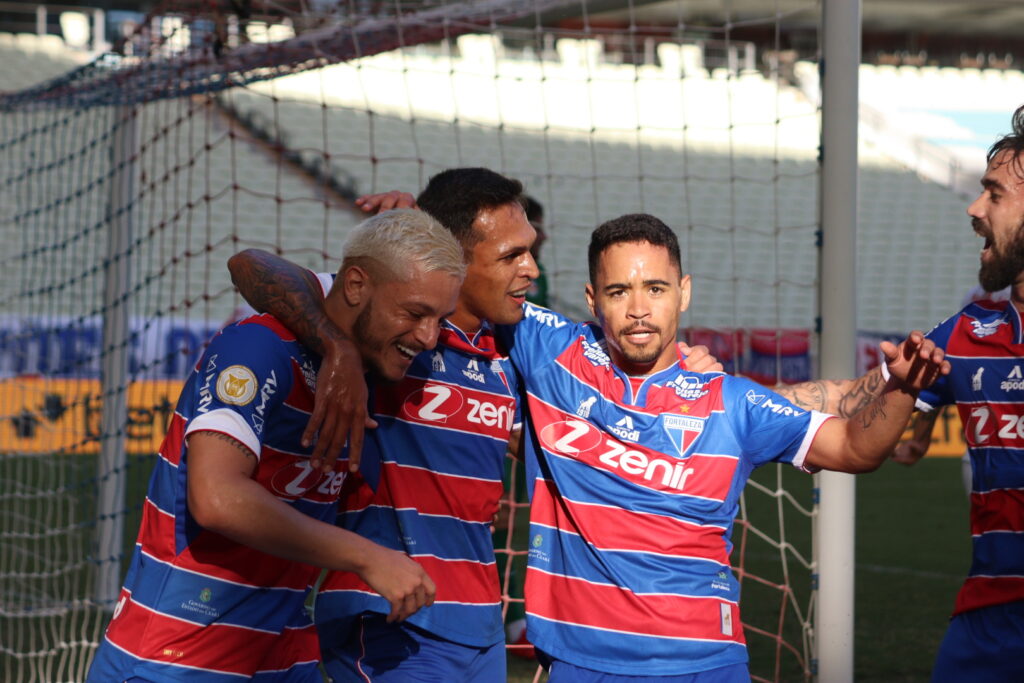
<point>770,428</point>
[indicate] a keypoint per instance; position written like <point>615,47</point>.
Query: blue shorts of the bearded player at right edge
<point>984,646</point>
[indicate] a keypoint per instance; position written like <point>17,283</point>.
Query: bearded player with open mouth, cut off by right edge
<point>985,343</point>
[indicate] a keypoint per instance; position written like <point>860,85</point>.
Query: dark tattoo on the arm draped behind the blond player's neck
<point>288,292</point>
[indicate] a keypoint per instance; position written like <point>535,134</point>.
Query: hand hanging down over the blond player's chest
<point>339,409</point>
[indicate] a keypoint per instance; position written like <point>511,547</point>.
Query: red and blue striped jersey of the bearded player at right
<point>985,346</point>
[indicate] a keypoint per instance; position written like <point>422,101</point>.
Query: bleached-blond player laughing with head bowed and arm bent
<point>238,522</point>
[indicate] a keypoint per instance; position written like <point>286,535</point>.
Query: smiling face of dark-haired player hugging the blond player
<point>500,269</point>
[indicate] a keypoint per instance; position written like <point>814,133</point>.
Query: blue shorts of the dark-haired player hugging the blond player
<point>380,653</point>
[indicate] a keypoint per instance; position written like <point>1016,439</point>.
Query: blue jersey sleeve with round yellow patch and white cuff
<point>245,374</point>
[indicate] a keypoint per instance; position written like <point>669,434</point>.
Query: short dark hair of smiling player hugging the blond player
<point>456,197</point>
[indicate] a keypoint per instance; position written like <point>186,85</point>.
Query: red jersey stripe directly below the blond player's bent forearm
<point>214,556</point>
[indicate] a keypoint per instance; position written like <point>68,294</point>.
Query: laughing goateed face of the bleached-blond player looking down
<point>403,319</point>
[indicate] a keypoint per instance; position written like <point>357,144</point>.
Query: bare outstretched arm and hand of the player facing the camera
<point>863,443</point>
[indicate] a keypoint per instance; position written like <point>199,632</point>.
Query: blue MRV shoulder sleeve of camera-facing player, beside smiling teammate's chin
<point>538,338</point>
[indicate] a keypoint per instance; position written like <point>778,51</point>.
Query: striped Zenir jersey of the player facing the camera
<point>635,485</point>
